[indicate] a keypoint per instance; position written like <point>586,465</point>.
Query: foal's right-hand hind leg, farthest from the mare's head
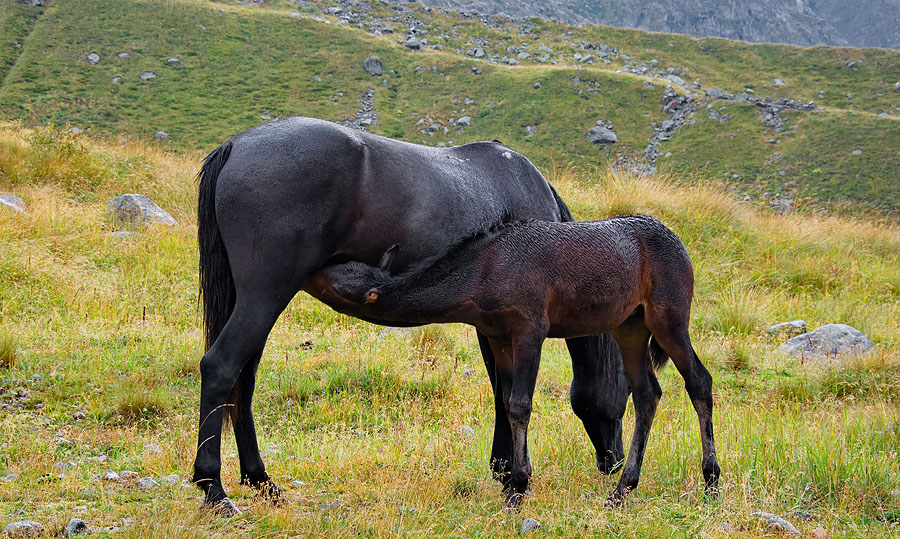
<point>672,334</point>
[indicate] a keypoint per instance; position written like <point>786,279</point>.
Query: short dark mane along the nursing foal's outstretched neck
<point>437,267</point>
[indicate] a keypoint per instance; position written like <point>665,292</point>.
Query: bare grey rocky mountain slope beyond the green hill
<point>867,23</point>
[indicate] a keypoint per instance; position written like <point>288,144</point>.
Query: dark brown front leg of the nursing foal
<point>517,368</point>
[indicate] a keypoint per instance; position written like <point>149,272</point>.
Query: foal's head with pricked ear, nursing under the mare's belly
<point>354,283</point>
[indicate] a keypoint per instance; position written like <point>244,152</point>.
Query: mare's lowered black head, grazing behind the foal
<point>599,394</point>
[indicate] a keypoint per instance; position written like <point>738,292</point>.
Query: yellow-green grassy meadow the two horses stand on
<point>369,424</point>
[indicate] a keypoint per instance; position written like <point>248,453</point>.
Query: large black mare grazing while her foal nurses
<point>282,200</point>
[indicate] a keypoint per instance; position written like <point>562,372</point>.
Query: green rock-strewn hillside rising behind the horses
<point>242,65</point>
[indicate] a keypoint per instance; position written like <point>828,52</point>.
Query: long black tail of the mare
<point>216,281</point>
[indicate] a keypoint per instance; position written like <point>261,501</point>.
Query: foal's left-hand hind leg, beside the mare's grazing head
<point>633,338</point>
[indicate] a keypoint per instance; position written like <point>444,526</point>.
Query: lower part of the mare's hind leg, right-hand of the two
<point>253,471</point>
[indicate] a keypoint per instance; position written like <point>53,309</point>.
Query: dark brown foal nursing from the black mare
<point>521,283</point>
